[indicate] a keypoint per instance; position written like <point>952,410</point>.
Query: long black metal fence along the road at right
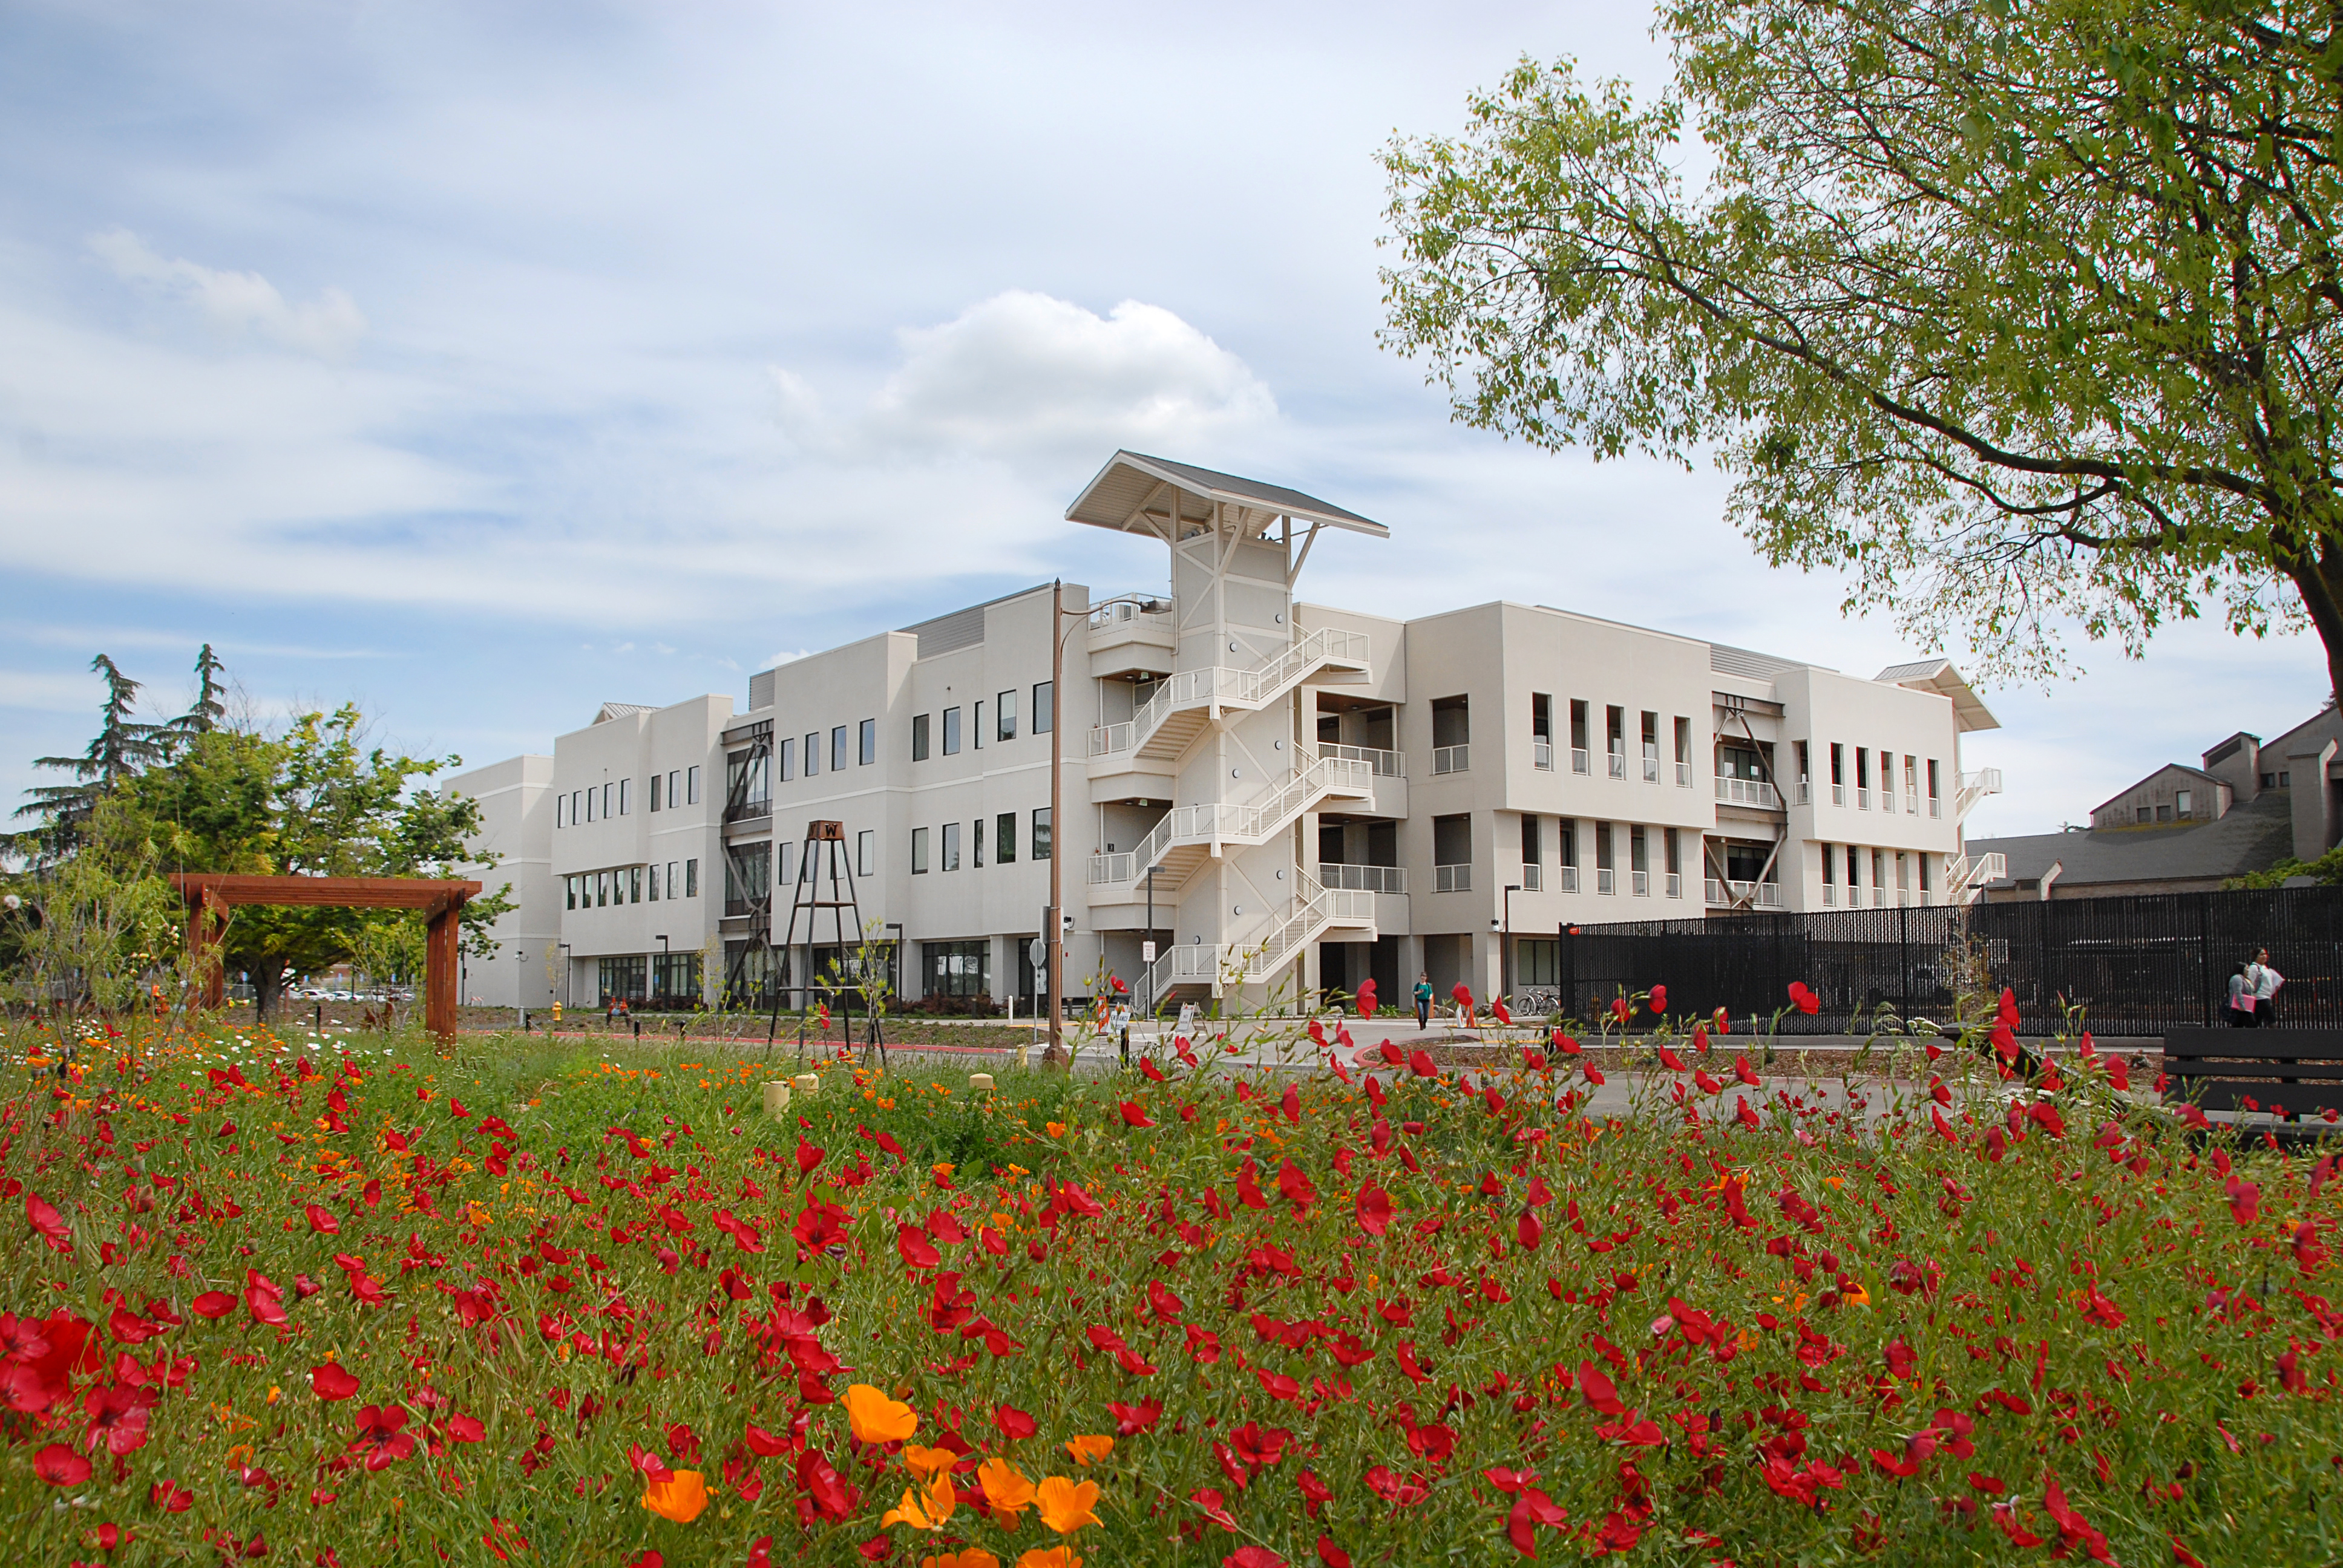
<point>2136,967</point>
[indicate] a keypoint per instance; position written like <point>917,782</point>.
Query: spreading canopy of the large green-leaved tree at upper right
<point>2016,313</point>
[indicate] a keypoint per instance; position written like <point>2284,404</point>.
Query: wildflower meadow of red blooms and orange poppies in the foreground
<point>339,1300</point>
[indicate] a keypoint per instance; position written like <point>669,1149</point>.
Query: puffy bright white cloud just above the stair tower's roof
<point>1025,376</point>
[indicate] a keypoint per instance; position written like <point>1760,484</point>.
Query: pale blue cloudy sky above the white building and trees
<point>486,362</point>
